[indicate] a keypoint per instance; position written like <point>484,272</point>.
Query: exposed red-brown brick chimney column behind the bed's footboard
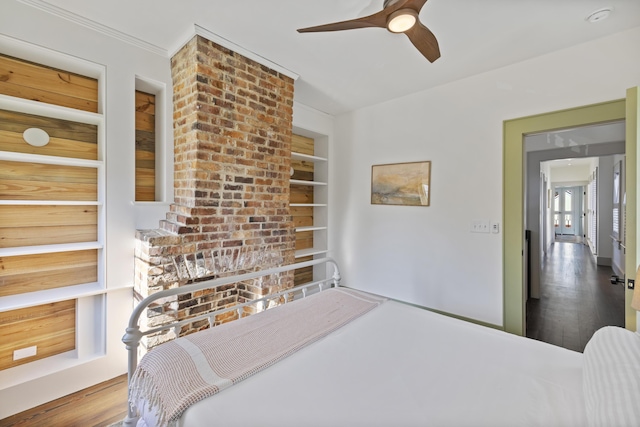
<point>232,146</point>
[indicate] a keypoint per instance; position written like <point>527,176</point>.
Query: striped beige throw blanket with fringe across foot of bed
<point>182,372</point>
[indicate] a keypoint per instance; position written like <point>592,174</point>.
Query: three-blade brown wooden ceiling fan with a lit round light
<point>398,16</point>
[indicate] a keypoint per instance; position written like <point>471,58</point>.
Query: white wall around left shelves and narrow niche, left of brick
<point>123,63</point>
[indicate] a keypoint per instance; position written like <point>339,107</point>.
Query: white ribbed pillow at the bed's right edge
<point>611,378</point>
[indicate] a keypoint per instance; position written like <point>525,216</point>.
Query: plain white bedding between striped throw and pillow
<point>403,366</point>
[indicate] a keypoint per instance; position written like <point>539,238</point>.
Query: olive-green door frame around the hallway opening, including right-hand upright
<point>514,193</point>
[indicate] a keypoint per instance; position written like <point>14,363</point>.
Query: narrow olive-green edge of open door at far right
<point>631,201</point>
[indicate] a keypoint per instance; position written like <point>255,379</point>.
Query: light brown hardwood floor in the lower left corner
<point>100,405</point>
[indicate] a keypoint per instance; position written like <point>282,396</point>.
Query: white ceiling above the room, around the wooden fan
<point>343,71</point>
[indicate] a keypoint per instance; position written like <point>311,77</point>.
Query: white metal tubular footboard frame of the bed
<point>134,334</point>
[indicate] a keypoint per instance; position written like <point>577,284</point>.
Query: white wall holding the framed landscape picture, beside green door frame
<point>426,255</point>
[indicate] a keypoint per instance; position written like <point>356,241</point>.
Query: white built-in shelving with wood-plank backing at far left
<point>90,298</point>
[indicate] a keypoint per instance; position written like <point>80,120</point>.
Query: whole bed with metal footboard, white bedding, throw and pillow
<point>335,356</point>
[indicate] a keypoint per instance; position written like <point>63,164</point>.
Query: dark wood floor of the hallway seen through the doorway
<point>576,298</point>
